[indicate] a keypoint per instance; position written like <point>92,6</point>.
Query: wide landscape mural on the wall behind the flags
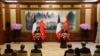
<point>51,17</point>
